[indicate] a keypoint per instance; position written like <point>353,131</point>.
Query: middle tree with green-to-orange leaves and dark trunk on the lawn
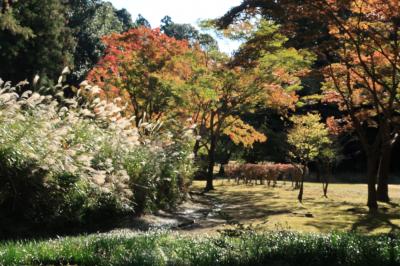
<point>221,93</point>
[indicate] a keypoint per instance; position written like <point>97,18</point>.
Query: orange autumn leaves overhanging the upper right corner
<point>364,80</point>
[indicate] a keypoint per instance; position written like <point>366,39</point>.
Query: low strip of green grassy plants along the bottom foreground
<point>243,248</point>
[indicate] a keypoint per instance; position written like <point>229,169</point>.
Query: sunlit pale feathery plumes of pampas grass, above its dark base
<point>92,140</point>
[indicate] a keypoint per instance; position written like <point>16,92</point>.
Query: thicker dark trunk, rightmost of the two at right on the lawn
<point>383,174</point>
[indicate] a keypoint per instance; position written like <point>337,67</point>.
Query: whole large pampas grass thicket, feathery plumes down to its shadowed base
<point>66,161</point>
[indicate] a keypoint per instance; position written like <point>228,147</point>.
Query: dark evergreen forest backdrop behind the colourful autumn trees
<point>42,37</point>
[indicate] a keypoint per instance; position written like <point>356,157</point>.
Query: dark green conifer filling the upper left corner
<point>40,43</point>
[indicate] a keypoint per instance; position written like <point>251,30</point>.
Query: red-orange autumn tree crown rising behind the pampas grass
<point>140,66</point>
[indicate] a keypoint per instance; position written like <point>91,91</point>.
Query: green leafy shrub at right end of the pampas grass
<point>160,176</point>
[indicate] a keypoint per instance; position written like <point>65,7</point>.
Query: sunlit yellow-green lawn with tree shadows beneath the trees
<point>277,207</point>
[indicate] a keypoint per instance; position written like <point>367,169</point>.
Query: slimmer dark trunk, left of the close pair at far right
<point>372,160</point>
